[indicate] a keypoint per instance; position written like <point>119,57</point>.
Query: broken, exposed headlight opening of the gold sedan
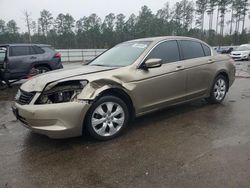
<point>62,92</point>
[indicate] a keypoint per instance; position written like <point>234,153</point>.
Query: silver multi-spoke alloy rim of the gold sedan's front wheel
<point>108,119</point>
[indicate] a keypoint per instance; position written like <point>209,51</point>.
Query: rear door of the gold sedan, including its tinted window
<point>197,61</point>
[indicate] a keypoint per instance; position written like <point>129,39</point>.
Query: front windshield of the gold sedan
<point>121,55</point>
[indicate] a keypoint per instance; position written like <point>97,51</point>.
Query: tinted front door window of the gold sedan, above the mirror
<point>167,51</point>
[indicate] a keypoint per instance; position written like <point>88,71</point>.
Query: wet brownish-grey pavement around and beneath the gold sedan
<point>192,145</point>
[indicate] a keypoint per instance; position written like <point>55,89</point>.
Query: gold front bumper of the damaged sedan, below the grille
<point>61,120</point>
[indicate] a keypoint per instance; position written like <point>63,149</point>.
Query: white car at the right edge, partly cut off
<point>241,53</point>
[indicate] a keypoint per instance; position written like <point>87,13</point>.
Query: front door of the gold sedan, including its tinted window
<point>162,86</point>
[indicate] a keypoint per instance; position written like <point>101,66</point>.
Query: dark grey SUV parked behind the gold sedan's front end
<point>24,60</point>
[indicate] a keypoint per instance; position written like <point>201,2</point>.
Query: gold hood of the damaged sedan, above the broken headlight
<point>37,84</point>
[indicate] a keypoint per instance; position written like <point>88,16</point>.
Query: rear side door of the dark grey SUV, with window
<point>20,61</point>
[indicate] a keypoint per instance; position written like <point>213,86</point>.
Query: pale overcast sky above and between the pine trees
<point>13,9</point>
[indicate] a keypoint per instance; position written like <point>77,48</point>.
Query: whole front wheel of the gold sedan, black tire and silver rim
<point>107,118</point>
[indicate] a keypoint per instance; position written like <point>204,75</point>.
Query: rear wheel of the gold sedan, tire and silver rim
<point>218,91</point>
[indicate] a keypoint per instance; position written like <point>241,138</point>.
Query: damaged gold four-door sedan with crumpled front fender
<point>127,81</point>
